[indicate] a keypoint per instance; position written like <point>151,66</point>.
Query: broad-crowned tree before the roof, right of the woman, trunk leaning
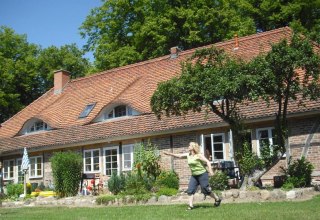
<point>211,81</point>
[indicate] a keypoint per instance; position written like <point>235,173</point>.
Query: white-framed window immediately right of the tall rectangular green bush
<point>91,161</point>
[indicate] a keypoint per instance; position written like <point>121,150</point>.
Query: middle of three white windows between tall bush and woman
<point>111,160</point>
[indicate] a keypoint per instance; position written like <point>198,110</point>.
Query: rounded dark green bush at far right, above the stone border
<point>299,173</point>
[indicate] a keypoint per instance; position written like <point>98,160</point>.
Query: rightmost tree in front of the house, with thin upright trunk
<point>281,82</point>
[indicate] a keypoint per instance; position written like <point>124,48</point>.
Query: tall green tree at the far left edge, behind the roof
<point>17,72</point>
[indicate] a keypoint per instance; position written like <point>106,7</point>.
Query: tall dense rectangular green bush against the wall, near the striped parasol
<point>66,170</point>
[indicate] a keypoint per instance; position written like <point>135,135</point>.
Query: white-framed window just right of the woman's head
<point>213,146</point>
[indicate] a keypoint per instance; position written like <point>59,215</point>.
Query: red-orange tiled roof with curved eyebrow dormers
<point>132,85</point>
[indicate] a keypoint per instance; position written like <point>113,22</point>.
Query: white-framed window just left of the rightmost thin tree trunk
<point>265,138</point>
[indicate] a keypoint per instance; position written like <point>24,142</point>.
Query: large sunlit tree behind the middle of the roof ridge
<point>124,32</point>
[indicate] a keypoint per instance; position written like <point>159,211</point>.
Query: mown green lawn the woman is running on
<point>269,210</point>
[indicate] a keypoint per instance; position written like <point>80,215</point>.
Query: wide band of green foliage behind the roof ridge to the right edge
<point>124,32</point>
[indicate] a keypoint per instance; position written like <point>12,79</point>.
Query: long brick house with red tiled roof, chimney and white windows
<point>103,116</point>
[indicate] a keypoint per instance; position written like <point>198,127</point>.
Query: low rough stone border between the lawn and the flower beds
<point>228,196</point>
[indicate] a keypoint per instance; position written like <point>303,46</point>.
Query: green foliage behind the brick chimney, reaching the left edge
<point>26,70</point>
